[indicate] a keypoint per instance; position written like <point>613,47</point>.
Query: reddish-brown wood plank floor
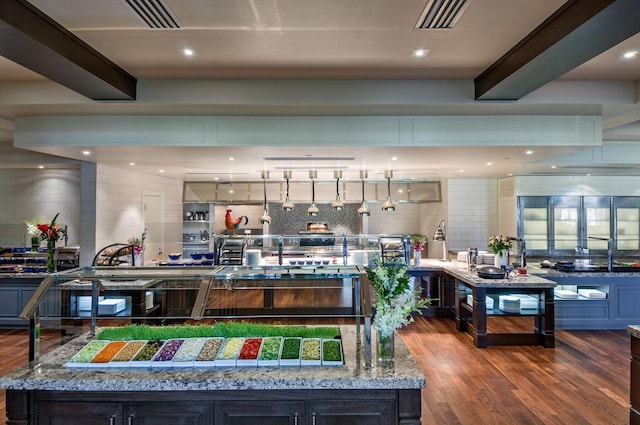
<point>584,380</point>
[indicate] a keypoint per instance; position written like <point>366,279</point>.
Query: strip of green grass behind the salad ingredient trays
<point>220,329</point>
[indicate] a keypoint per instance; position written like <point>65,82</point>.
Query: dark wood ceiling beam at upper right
<point>577,32</point>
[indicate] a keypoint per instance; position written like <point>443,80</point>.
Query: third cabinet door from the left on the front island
<point>263,412</point>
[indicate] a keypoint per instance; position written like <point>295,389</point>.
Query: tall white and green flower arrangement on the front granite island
<point>394,302</point>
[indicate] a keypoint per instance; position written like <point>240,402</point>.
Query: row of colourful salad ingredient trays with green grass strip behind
<point>314,347</point>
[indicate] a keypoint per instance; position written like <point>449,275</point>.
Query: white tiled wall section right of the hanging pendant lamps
<point>472,213</point>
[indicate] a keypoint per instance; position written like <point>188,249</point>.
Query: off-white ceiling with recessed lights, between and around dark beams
<point>244,42</point>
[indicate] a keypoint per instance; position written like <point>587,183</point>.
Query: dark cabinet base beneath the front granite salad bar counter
<point>268,407</point>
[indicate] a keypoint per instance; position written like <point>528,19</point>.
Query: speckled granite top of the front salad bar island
<point>52,375</point>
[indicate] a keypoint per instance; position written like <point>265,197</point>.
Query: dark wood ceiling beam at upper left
<point>35,41</point>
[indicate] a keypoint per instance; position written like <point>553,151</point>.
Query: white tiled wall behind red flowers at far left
<point>38,194</point>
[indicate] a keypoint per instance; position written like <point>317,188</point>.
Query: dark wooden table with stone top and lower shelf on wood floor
<point>473,318</point>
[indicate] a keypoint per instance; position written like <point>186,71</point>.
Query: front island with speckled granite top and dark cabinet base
<point>349,394</point>
